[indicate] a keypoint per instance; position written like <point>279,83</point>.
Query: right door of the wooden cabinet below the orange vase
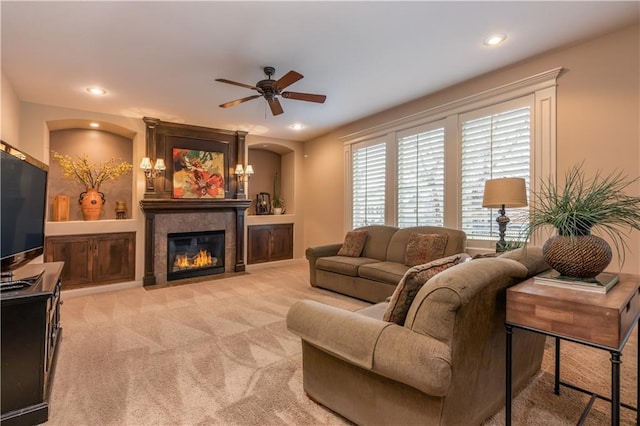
<point>114,258</point>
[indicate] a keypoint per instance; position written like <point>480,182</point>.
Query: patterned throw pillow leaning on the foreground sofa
<point>411,283</point>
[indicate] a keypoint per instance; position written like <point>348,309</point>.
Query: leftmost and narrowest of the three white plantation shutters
<point>369,183</point>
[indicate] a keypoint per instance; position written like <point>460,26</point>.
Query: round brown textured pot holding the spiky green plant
<point>584,256</point>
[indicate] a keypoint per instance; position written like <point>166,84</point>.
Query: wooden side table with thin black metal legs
<point>602,321</point>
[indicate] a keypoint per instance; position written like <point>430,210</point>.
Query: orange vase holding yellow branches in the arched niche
<point>91,176</point>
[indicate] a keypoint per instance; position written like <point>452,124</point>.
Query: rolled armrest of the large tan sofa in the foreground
<point>381,347</point>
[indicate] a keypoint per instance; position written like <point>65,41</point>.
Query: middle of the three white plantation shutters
<point>421,178</point>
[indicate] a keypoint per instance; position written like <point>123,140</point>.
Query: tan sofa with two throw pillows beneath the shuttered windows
<point>375,274</point>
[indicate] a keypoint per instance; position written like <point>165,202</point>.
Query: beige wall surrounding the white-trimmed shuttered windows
<point>598,122</point>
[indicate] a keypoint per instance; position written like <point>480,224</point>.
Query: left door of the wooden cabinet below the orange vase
<point>76,253</point>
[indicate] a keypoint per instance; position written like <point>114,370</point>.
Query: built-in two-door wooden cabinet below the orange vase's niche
<point>93,259</point>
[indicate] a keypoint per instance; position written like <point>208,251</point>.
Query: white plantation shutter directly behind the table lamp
<point>493,146</point>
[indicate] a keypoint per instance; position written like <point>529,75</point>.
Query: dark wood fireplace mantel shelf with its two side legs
<point>152,207</point>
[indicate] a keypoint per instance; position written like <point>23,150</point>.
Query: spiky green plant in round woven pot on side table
<point>580,207</point>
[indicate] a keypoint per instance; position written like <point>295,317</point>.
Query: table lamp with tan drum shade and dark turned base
<point>500,193</point>
